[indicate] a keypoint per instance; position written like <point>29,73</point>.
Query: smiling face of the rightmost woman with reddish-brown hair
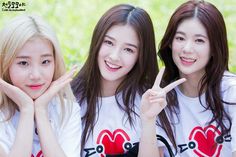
<point>191,48</point>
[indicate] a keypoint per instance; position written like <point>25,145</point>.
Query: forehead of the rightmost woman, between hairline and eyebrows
<point>192,26</point>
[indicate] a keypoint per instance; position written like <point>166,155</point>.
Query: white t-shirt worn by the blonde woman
<point>68,134</point>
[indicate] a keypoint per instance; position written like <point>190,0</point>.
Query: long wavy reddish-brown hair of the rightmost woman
<point>214,24</point>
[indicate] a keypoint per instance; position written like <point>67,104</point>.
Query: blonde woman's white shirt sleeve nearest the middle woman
<point>70,133</point>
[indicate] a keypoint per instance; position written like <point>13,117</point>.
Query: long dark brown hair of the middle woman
<point>86,85</point>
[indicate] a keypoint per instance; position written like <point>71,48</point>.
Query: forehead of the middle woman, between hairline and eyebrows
<point>124,33</point>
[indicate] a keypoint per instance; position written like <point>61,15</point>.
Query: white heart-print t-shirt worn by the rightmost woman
<point>194,136</point>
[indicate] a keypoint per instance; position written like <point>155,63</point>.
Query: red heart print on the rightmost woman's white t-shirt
<point>204,138</point>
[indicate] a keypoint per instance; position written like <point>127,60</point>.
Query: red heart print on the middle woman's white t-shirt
<point>112,143</point>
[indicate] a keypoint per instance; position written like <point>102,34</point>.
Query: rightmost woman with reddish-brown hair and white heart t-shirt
<point>199,119</point>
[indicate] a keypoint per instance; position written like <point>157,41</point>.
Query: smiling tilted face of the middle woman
<point>118,54</point>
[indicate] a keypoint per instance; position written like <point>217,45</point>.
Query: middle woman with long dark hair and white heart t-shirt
<point>121,66</point>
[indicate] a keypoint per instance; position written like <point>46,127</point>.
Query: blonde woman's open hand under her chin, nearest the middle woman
<point>54,88</point>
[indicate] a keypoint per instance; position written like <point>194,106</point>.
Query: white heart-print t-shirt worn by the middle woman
<point>112,132</point>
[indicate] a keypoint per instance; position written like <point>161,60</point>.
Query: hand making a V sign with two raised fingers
<point>154,100</point>
